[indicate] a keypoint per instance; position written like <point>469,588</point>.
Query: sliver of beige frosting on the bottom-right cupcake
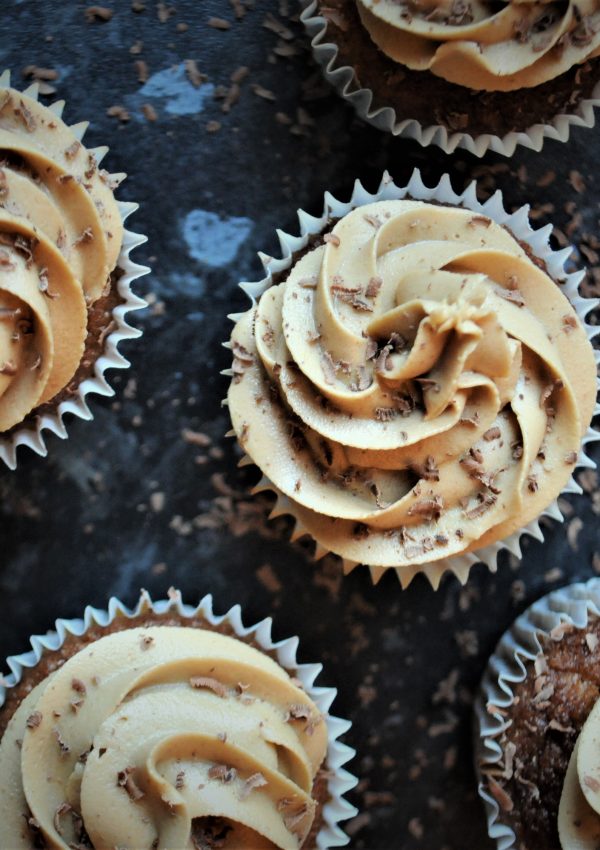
<point>579,809</point>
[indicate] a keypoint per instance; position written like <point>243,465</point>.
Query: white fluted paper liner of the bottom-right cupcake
<point>518,648</point>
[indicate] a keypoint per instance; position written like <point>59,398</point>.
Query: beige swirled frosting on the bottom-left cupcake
<point>146,734</point>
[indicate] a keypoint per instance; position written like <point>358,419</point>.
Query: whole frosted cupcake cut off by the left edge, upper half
<point>62,295</point>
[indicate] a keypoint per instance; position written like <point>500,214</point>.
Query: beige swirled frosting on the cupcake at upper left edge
<point>60,237</point>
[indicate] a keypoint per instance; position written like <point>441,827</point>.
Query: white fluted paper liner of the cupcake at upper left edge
<point>33,436</point>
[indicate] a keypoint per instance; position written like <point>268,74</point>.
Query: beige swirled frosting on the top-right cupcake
<point>485,45</point>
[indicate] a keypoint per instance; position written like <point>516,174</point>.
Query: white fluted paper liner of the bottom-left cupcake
<point>340,781</point>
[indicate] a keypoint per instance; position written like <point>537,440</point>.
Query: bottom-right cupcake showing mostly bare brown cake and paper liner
<point>538,717</point>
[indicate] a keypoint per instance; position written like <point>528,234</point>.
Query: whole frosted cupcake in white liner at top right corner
<point>454,73</point>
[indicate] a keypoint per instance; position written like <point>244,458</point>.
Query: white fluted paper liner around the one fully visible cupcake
<point>538,240</point>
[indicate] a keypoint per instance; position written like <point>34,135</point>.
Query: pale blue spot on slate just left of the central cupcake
<point>214,240</point>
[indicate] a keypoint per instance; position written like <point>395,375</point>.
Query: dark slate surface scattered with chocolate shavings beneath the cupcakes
<point>84,523</point>
